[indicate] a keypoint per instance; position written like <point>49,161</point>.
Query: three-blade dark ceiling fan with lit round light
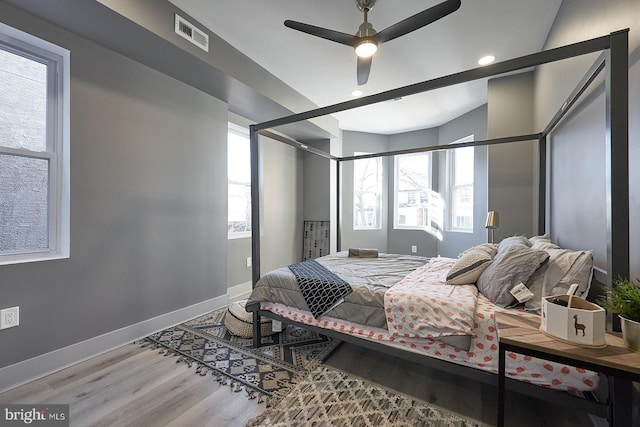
<point>366,40</point>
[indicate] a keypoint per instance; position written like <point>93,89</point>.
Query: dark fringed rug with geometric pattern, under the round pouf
<point>266,372</point>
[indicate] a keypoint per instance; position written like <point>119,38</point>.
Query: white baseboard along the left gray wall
<point>37,367</point>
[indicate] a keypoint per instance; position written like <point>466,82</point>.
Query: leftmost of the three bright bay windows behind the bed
<point>367,193</point>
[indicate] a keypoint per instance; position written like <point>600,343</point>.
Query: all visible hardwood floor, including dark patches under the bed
<point>135,386</point>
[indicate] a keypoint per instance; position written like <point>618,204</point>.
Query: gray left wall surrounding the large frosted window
<point>148,210</point>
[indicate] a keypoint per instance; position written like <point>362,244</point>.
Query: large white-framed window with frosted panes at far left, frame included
<point>34,148</point>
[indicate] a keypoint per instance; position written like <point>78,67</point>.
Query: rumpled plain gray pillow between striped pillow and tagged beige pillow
<point>514,263</point>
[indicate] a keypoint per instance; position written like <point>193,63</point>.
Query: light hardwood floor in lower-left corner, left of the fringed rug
<point>135,386</point>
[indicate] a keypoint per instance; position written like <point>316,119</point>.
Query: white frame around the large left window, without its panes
<point>58,134</point>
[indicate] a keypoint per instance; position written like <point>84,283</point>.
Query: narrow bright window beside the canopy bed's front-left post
<point>239,174</point>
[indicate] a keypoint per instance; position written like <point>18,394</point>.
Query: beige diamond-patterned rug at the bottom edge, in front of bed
<point>327,397</point>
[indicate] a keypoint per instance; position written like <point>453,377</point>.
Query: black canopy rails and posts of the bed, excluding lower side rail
<point>614,61</point>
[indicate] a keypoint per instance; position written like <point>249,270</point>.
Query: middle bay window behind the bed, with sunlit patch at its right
<point>416,205</point>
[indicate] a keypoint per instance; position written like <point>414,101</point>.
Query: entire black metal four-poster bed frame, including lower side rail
<point>614,62</point>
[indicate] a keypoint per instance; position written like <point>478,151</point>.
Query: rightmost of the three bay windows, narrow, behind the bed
<point>460,162</point>
